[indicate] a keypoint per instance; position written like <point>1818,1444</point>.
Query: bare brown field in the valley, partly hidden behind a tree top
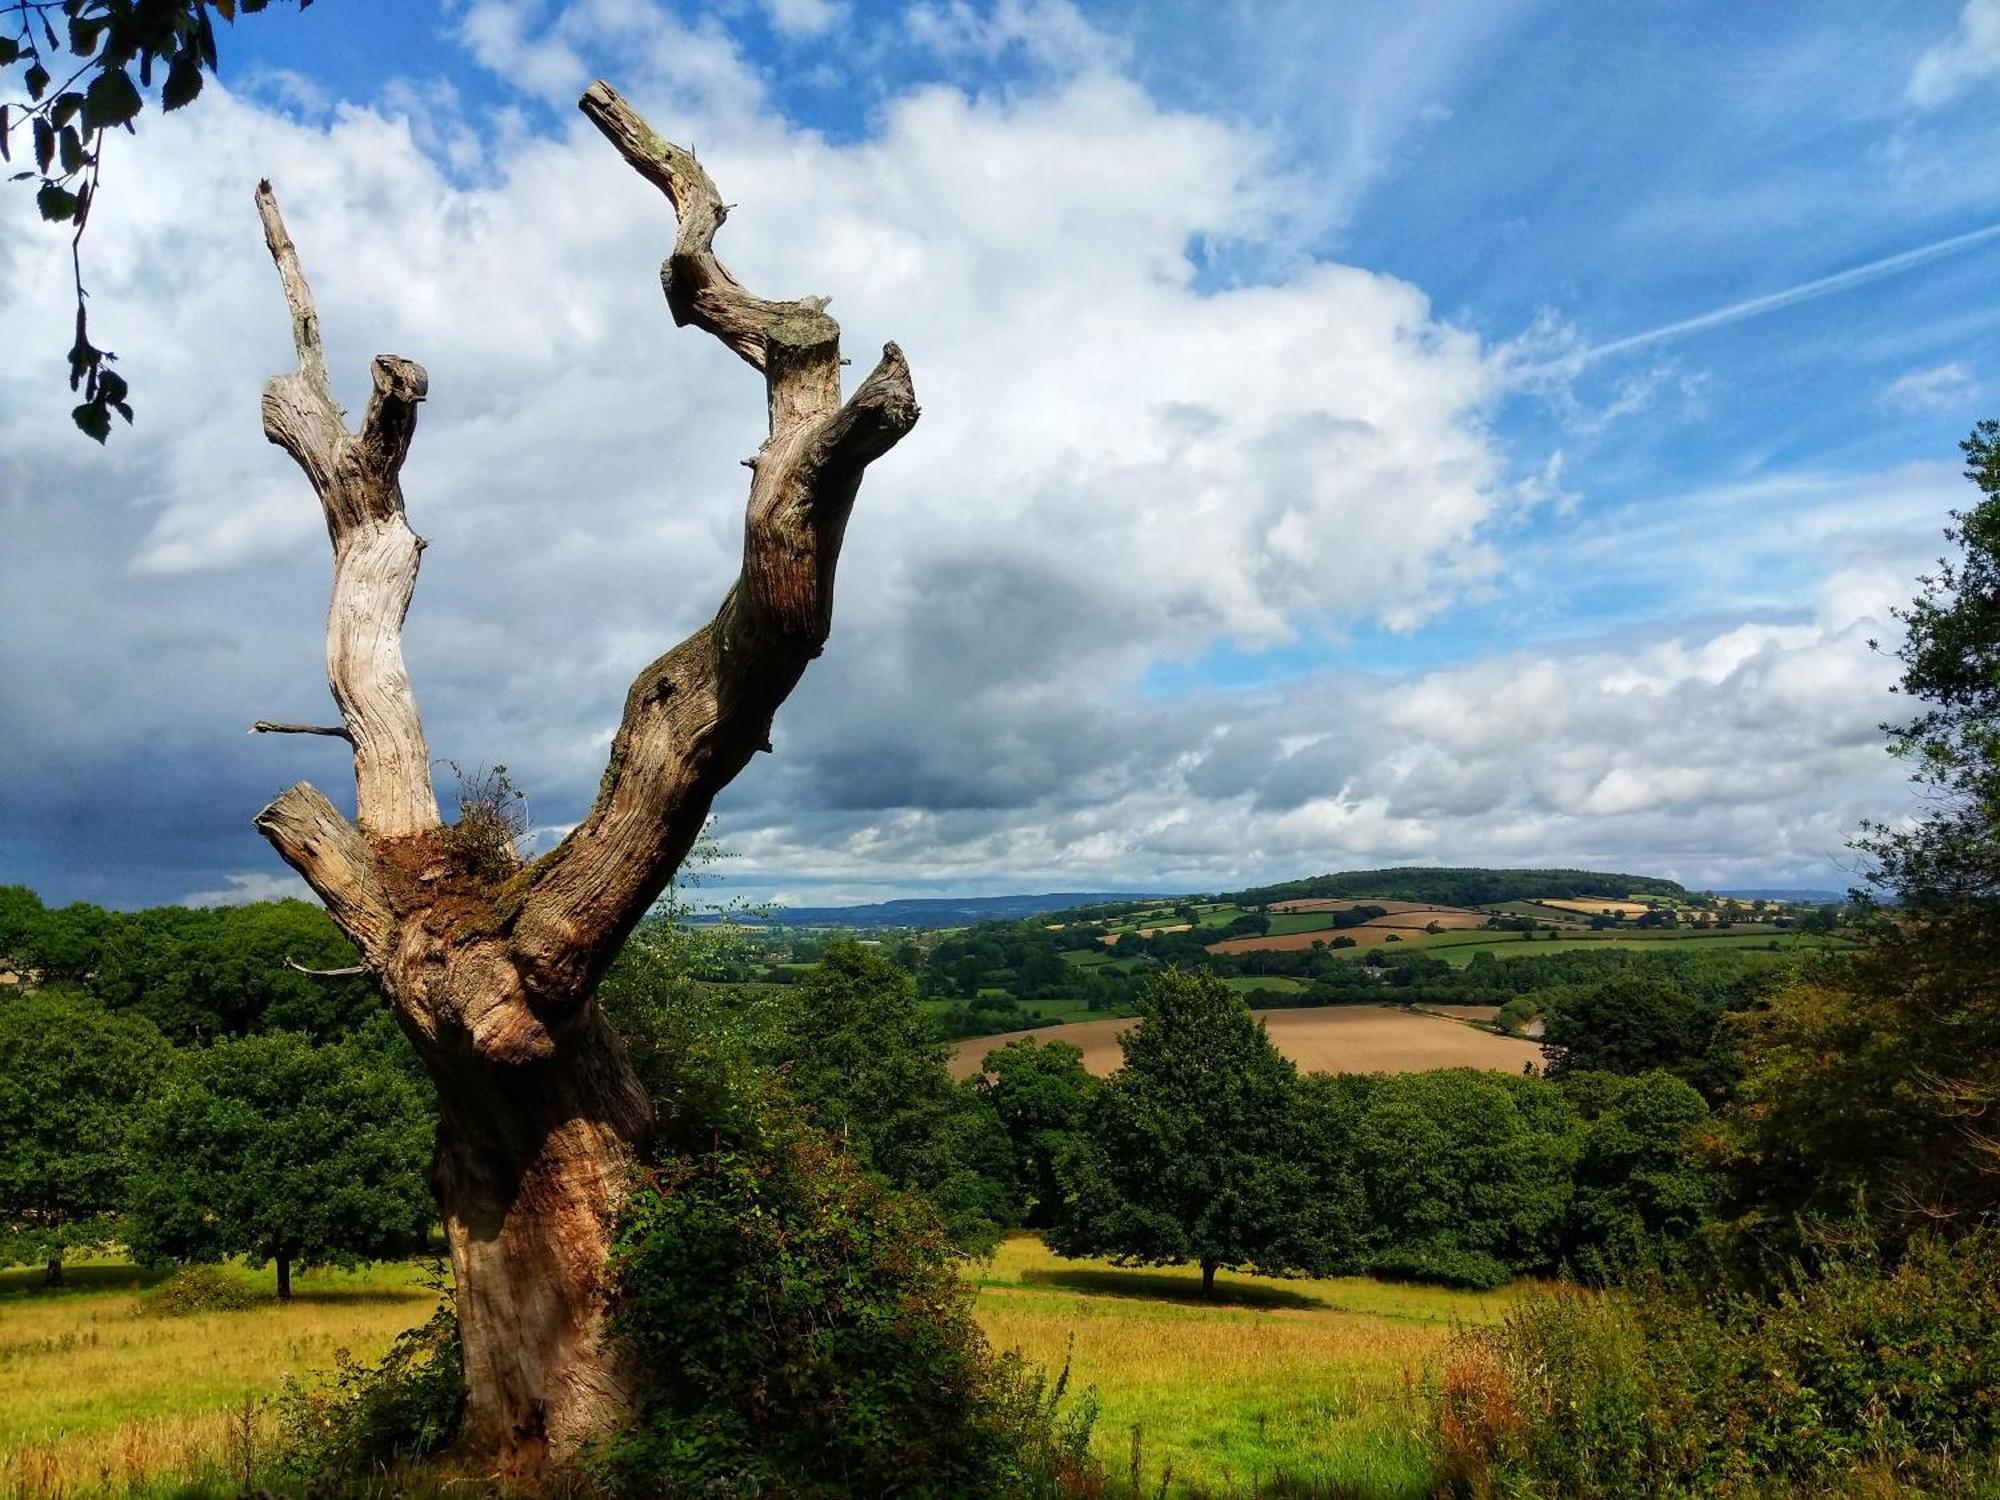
<point>1323,1039</point>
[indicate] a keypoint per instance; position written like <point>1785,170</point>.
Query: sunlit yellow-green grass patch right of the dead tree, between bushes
<point>1309,1379</point>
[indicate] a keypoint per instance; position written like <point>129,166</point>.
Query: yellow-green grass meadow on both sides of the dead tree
<point>1315,1381</point>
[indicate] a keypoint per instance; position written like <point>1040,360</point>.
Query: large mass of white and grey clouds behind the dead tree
<point>1117,469</point>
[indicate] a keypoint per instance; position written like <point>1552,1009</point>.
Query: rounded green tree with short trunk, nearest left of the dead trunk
<point>285,1153</point>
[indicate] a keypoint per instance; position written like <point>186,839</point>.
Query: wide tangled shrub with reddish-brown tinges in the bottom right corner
<point>1849,1377</point>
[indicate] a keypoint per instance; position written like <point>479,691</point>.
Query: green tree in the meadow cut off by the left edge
<point>71,1085</point>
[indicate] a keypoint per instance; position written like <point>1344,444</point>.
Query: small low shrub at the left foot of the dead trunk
<point>373,1415</point>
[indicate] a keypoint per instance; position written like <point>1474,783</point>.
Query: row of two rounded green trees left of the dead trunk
<point>271,1147</point>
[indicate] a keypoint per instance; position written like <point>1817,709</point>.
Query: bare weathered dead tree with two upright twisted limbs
<point>493,969</point>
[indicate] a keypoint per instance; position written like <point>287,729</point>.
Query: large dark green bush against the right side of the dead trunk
<point>805,1331</point>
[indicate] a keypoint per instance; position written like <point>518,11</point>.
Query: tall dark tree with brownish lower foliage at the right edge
<point>1875,1085</point>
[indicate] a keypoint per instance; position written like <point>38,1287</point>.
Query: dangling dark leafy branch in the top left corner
<point>99,49</point>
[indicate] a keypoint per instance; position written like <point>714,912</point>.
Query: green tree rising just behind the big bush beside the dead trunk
<point>867,1063</point>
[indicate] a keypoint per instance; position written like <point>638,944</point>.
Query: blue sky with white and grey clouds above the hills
<point>1479,433</point>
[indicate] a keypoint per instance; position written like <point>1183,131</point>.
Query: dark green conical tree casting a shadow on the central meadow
<point>1189,1155</point>
